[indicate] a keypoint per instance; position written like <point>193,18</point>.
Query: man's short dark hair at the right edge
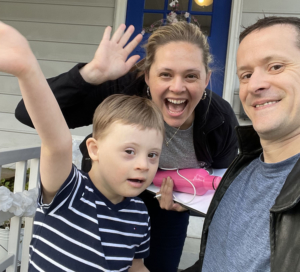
<point>270,21</point>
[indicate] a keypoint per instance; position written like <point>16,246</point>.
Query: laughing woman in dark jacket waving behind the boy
<point>199,124</point>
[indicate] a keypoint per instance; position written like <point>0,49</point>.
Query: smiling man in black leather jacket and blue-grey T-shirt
<point>253,223</point>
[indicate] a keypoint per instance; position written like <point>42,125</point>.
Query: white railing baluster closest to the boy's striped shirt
<point>33,183</point>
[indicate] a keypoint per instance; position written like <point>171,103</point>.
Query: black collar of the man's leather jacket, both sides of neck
<point>289,195</point>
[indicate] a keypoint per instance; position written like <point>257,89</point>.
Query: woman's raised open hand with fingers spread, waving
<point>110,60</point>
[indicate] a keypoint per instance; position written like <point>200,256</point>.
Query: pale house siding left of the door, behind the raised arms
<point>61,33</point>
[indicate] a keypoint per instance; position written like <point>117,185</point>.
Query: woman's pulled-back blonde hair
<point>181,31</point>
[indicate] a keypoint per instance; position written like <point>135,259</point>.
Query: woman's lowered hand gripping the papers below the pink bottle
<point>166,200</point>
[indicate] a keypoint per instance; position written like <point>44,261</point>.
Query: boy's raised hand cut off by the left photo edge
<point>16,57</point>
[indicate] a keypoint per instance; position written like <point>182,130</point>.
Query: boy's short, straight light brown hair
<point>128,110</point>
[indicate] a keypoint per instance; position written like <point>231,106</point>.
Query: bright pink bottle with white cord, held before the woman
<point>199,177</point>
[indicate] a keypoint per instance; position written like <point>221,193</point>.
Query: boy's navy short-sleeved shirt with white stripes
<point>81,230</point>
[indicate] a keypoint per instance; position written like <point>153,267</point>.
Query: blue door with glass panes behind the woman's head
<point>212,15</point>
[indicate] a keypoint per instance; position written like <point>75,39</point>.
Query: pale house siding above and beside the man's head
<point>251,11</point>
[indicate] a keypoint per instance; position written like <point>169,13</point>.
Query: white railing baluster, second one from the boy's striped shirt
<point>15,223</point>
